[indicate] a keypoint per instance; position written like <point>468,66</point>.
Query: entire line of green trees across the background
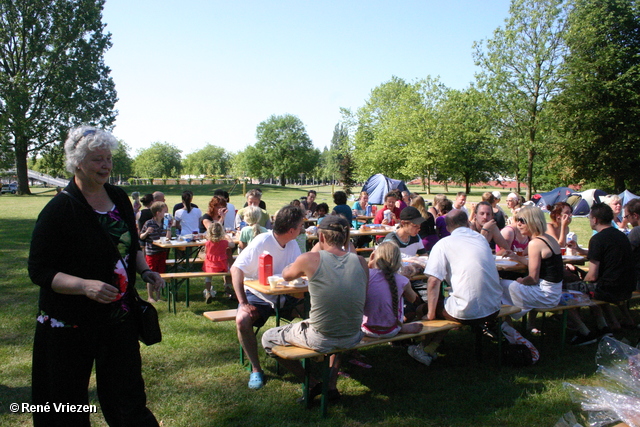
<point>556,102</point>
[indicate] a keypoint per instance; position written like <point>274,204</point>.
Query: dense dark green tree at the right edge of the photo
<point>599,108</point>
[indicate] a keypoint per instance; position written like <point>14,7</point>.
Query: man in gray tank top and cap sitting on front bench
<point>338,287</point>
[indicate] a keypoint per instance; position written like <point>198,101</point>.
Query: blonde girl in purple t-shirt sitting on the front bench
<point>383,309</point>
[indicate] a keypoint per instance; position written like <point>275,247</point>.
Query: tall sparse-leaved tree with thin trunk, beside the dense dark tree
<point>522,70</point>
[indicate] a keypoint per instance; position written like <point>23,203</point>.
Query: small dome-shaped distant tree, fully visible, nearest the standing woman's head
<point>160,160</point>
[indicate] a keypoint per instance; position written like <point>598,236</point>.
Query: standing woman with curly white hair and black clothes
<point>84,256</point>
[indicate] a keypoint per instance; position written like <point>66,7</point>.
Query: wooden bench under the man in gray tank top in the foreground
<point>428,327</point>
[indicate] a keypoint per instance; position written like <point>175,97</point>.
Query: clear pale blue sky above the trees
<point>195,72</point>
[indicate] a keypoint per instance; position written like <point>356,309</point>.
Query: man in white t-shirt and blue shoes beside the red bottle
<point>254,308</point>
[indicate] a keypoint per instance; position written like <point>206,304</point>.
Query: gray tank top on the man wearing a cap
<point>337,290</point>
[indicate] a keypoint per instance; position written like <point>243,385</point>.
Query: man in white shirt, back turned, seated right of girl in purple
<point>465,261</point>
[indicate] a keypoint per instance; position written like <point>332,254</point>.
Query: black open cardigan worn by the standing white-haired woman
<point>67,239</point>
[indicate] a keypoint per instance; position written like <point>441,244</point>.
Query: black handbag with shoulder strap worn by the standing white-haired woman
<point>146,315</point>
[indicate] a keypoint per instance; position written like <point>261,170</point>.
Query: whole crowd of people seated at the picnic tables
<point>460,241</point>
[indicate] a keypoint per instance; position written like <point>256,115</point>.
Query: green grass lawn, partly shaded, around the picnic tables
<point>194,379</point>
